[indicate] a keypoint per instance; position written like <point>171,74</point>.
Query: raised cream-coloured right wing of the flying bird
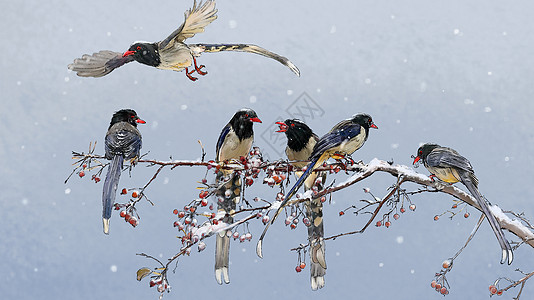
<point>196,18</point>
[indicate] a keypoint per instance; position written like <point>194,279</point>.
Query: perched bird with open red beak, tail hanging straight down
<point>300,143</point>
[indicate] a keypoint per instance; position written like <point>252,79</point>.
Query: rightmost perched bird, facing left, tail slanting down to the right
<point>449,166</point>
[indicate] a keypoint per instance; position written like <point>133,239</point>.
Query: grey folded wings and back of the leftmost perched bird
<point>123,141</point>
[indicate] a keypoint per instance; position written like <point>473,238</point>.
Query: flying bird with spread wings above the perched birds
<point>171,53</point>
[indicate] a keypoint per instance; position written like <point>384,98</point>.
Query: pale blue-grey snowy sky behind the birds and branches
<point>454,72</point>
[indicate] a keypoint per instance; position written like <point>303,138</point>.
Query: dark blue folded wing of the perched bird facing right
<point>342,132</point>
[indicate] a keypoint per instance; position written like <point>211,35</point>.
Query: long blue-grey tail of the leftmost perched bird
<point>110,189</point>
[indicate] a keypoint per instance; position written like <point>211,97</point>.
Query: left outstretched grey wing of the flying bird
<point>98,64</point>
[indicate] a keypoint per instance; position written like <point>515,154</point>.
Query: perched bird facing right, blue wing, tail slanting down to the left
<point>343,139</point>
